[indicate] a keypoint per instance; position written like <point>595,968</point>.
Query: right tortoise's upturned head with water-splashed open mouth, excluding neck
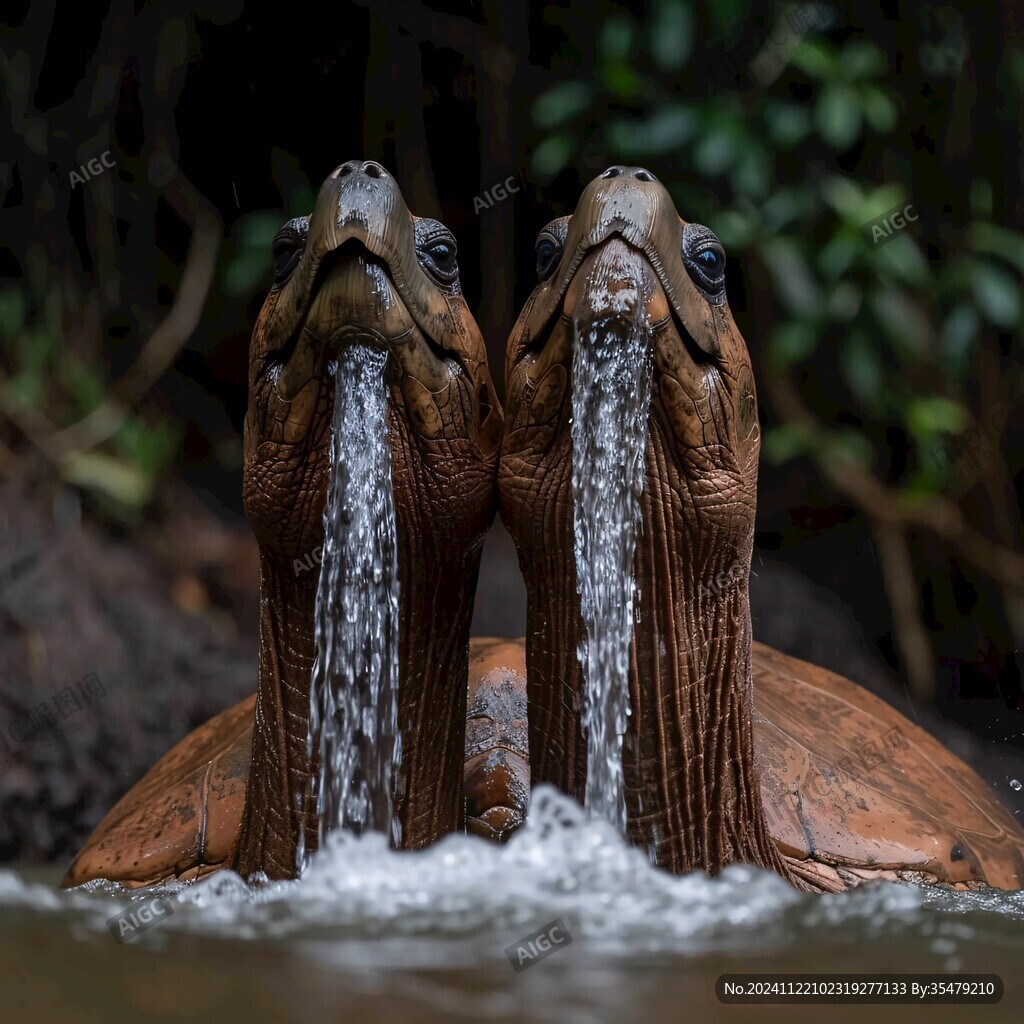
<point>626,254</point>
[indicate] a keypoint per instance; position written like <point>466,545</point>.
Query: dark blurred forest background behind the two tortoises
<point>123,549</point>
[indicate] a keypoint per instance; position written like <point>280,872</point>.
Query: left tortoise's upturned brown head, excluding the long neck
<point>361,270</point>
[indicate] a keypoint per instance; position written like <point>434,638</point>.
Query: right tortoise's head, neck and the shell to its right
<point>732,752</point>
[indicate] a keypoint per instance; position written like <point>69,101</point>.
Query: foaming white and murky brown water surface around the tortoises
<point>373,935</point>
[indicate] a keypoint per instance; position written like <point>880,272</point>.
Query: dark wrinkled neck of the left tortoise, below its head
<point>439,554</point>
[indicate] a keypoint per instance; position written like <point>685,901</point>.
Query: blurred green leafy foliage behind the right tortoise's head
<point>893,331</point>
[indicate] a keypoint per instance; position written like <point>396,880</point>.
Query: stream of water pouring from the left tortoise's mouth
<point>354,697</point>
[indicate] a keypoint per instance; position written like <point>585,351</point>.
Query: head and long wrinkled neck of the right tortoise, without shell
<point>625,270</point>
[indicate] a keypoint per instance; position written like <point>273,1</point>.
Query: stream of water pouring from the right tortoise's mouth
<point>612,375</point>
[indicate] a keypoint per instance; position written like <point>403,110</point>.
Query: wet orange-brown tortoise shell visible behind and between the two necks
<point>854,791</point>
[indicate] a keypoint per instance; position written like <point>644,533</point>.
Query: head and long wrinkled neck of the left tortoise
<point>363,272</point>
